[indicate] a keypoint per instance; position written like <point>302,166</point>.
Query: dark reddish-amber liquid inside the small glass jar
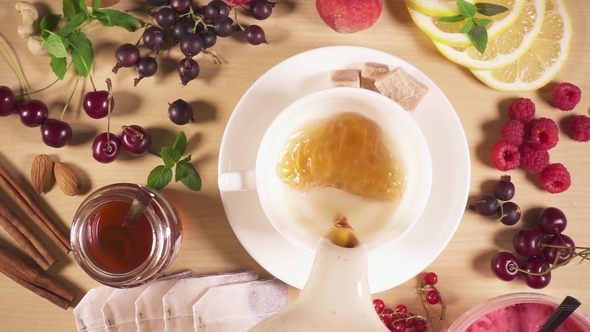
<point>113,247</point>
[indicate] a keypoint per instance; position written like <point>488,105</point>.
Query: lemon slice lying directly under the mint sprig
<point>448,33</point>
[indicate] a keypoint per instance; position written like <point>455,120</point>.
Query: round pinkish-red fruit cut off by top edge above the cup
<point>348,16</point>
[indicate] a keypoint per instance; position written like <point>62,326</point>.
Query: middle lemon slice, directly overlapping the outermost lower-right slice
<point>508,47</point>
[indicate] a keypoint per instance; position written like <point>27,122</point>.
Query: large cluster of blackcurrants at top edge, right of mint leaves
<point>195,29</point>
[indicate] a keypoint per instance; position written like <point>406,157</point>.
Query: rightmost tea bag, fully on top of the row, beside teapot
<point>239,306</point>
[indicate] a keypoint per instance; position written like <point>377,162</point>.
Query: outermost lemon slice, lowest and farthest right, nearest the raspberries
<point>544,59</point>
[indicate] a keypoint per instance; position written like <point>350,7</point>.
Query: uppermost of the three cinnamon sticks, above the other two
<point>15,190</point>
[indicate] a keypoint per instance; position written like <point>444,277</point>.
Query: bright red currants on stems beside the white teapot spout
<point>399,319</point>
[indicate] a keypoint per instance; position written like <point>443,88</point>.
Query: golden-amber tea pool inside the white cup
<point>346,151</point>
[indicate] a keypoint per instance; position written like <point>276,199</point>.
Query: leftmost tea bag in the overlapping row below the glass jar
<point>88,314</point>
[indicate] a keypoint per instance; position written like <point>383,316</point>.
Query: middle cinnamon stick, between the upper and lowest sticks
<point>25,238</point>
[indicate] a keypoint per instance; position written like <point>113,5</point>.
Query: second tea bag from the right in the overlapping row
<point>178,302</point>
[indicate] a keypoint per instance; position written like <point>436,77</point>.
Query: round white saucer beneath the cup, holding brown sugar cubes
<point>308,72</point>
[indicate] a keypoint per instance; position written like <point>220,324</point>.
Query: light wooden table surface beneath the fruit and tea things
<point>210,245</point>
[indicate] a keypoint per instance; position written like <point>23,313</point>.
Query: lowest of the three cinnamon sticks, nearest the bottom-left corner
<point>34,279</point>
